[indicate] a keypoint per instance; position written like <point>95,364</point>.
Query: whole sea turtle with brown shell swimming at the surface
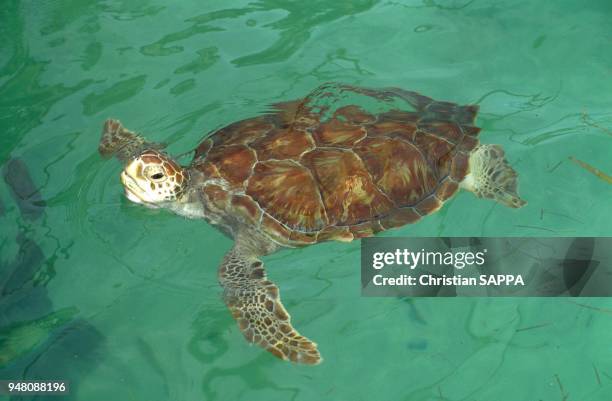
<point>313,170</point>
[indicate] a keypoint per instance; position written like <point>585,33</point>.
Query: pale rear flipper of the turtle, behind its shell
<point>492,177</point>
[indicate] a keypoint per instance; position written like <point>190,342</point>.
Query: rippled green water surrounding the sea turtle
<point>146,321</point>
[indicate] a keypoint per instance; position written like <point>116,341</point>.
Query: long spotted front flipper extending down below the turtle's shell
<point>255,304</point>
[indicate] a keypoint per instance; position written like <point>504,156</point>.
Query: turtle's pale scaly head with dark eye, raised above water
<point>152,179</point>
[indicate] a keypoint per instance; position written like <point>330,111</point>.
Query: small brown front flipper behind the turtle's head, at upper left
<point>121,142</point>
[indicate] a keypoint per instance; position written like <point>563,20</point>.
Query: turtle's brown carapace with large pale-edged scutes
<point>352,175</point>
